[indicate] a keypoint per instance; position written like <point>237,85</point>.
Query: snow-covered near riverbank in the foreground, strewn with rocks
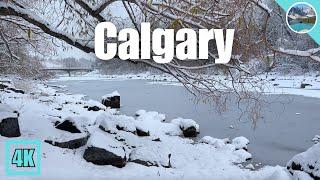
<point>165,151</point>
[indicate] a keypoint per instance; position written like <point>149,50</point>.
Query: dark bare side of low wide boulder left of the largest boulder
<point>72,144</point>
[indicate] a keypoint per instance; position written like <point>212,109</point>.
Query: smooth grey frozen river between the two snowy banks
<point>287,126</point>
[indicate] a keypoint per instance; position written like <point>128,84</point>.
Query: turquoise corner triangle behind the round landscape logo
<point>315,31</point>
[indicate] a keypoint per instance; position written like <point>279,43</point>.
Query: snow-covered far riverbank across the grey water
<point>271,83</point>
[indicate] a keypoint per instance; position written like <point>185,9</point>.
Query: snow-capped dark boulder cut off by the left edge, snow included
<point>9,123</point>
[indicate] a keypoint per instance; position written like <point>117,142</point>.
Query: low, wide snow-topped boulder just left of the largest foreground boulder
<point>69,141</point>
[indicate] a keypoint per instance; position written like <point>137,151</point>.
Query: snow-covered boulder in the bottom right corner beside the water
<point>308,162</point>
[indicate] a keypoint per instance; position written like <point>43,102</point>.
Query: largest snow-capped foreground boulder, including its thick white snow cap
<point>105,150</point>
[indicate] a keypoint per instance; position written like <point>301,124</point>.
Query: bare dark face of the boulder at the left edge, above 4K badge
<point>9,127</point>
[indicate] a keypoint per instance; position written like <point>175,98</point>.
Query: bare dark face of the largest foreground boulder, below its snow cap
<point>101,156</point>
